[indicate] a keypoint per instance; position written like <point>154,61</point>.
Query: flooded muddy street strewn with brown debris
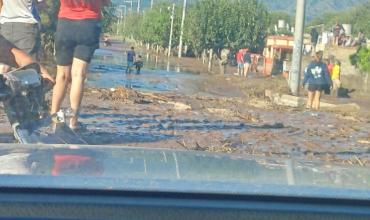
<point>167,106</point>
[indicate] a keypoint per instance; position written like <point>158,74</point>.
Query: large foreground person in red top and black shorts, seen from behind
<point>77,38</point>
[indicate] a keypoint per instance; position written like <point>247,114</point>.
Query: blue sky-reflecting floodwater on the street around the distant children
<point>107,70</point>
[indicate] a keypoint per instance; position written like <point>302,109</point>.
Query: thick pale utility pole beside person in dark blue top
<point>295,75</point>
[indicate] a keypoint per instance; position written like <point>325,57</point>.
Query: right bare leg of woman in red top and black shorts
<point>78,80</point>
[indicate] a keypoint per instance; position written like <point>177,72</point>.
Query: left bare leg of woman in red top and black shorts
<point>59,91</point>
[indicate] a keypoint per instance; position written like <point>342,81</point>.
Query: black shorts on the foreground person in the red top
<point>76,39</point>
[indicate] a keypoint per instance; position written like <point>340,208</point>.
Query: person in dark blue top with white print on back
<point>318,79</point>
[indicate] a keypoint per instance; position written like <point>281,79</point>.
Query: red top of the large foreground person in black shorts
<point>81,9</point>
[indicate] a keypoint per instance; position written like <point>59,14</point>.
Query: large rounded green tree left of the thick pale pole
<point>218,24</point>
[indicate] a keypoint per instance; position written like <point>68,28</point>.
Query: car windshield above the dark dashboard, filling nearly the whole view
<point>244,97</point>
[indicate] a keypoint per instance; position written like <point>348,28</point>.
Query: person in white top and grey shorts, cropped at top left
<point>20,24</point>
